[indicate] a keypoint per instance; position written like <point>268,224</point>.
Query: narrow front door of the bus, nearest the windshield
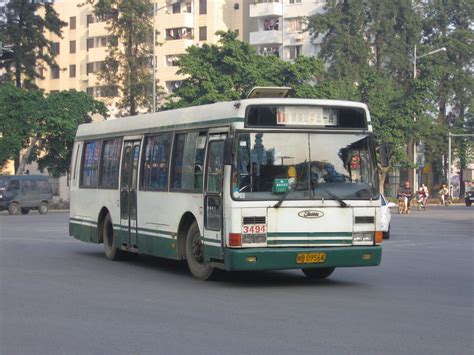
<point>213,207</point>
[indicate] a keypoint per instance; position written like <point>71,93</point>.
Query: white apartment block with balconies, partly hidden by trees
<point>277,27</point>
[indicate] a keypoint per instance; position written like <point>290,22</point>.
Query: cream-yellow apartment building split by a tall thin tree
<point>83,47</point>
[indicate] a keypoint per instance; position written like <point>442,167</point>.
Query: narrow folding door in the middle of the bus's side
<point>128,193</point>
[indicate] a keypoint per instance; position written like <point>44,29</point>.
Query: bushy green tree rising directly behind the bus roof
<point>230,69</point>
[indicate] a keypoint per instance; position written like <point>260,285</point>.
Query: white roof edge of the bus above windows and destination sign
<point>217,114</point>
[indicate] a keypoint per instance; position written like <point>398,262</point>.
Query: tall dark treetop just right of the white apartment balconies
<point>362,34</point>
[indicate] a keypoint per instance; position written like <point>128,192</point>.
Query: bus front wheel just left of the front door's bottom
<point>194,254</point>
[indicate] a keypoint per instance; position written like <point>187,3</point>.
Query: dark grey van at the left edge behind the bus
<point>22,193</point>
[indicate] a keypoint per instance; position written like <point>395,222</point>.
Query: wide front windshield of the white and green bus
<point>304,166</point>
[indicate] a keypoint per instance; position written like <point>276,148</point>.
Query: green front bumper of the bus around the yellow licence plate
<point>286,258</point>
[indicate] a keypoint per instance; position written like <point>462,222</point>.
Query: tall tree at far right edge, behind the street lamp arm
<point>449,24</point>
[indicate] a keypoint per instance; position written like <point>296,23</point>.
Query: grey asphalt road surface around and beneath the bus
<point>61,296</point>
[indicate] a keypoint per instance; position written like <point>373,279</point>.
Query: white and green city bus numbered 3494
<point>257,184</point>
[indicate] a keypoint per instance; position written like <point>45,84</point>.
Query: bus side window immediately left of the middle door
<point>109,169</point>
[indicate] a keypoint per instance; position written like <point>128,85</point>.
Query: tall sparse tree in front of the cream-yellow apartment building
<point>128,65</point>
